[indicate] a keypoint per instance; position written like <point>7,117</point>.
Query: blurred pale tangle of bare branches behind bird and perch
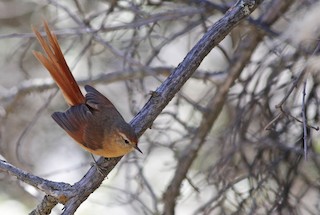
<point>247,120</point>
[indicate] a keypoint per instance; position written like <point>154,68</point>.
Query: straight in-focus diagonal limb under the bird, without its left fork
<point>164,94</point>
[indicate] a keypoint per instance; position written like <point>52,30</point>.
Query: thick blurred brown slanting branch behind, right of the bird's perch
<point>215,105</point>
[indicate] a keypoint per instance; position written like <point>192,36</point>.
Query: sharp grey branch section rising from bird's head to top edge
<point>167,90</point>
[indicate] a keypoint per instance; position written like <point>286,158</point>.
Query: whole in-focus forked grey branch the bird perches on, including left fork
<point>73,196</point>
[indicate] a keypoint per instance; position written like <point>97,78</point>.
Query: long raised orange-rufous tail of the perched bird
<point>58,68</point>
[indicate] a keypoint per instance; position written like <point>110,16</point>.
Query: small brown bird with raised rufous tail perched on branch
<point>91,120</point>
